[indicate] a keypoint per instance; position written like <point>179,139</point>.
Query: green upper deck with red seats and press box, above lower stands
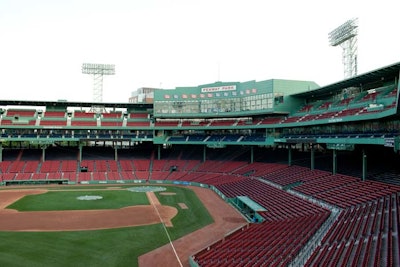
<point>362,110</point>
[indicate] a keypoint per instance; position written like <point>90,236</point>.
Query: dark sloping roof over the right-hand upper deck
<point>387,72</point>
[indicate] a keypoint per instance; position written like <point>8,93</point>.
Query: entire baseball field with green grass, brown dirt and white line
<point>109,226</point>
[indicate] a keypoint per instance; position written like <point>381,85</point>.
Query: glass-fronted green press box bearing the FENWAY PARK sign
<point>227,99</point>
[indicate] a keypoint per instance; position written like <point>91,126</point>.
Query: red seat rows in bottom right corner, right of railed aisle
<point>363,235</point>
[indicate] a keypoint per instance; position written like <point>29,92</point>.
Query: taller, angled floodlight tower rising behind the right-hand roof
<point>346,36</point>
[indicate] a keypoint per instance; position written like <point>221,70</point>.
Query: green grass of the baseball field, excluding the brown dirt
<point>112,247</point>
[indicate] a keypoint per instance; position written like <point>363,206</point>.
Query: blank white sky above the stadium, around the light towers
<point>175,43</point>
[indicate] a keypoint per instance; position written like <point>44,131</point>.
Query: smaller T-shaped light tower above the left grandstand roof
<point>98,70</point>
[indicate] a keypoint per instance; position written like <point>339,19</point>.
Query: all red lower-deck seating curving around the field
<point>366,233</point>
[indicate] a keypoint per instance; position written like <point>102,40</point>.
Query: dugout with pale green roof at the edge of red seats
<point>249,208</point>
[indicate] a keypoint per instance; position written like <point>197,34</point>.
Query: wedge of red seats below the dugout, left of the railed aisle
<point>266,244</point>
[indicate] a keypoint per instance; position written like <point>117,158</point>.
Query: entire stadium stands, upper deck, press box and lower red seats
<point>296,123</point>
